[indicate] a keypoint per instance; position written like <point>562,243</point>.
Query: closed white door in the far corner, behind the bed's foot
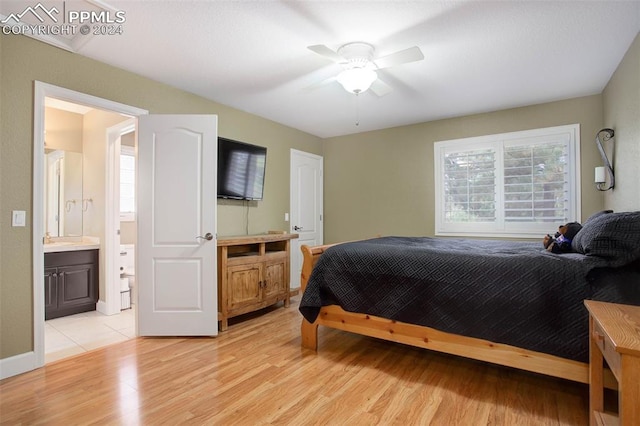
<point>306,207</point>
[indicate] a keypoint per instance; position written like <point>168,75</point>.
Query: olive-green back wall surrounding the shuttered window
<point>381,182</point>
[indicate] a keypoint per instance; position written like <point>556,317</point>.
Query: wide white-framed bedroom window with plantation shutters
<point>519,184</point>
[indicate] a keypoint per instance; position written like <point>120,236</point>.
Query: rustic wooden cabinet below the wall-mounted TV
<point>253,272</point>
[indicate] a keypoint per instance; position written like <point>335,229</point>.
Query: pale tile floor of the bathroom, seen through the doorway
<point>75,334</point>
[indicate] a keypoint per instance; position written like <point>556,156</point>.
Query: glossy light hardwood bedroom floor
<point>256,373</point>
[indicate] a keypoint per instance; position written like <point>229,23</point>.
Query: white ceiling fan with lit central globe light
<point>360,65</point>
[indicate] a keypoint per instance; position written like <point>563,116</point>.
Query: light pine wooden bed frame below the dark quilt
<point>425,337</point>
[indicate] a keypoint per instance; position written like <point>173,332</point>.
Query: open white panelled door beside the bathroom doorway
<point>176,258</point>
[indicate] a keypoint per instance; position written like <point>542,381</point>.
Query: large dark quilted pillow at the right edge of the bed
<point>612,236</point>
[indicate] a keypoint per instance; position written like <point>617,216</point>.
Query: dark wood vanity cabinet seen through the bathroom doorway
<point>70,282</point>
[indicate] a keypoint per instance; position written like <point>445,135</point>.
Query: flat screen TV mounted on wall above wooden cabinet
<point>241,168</point>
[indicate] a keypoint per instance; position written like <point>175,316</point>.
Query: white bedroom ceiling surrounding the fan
<point>480,56</point>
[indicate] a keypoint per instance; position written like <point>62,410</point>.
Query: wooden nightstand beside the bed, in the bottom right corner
<point>614,332</point>
